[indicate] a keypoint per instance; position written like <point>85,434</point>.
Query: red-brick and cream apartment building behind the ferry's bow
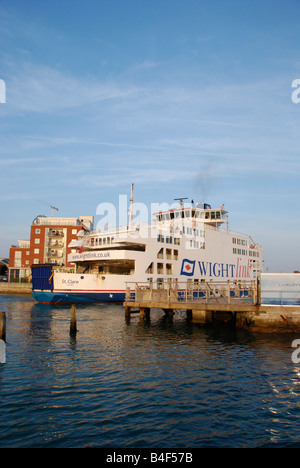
<point>49,243</point>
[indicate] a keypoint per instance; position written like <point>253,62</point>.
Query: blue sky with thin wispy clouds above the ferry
<point>183,98</point>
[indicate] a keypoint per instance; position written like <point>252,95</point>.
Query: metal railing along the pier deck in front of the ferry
<point>218,292</point>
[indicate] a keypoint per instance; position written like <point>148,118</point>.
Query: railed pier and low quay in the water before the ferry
<point>238,302</point>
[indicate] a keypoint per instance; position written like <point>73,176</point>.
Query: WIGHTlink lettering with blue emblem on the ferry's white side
<point>215,269</point>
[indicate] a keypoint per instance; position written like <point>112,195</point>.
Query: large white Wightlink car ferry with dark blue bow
<point>189,242</point>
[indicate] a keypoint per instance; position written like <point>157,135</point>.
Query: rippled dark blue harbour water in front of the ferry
<point>157,383</point>
